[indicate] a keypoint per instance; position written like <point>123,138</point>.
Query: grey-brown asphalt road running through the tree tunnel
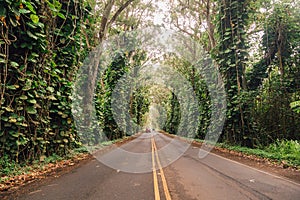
<point>156,167</point>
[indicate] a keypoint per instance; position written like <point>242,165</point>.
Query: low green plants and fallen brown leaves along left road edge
<point>11,171</point>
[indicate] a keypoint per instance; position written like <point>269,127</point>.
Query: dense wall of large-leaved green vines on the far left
<point>41,45</point>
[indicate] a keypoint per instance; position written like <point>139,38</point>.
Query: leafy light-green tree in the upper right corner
<point>280,41</point>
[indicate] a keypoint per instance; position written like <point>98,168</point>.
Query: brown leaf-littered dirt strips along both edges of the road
<point>48,171</point>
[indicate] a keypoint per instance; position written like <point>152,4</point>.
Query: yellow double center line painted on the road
<point>163,178</point>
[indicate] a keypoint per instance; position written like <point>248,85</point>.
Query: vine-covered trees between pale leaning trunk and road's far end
<point>137,98</point>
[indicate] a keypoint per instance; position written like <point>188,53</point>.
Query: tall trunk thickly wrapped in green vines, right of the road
<point>231,56</point>
